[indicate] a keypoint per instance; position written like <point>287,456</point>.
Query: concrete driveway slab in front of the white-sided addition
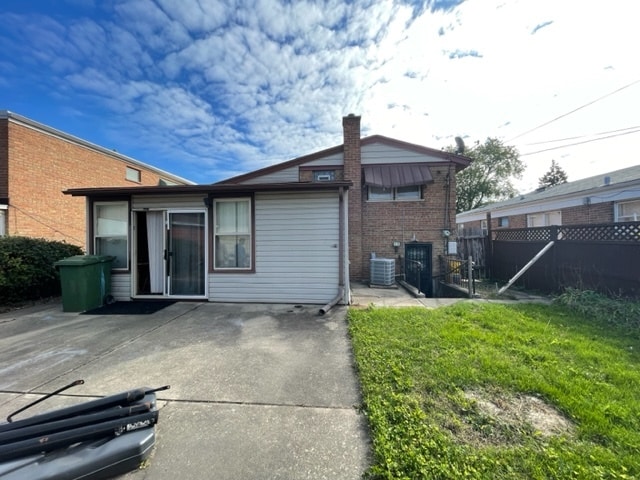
<point>257,391</point>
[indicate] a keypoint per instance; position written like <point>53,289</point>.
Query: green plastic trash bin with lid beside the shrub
<point>85,281</point>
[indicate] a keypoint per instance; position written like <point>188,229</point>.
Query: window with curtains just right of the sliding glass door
<point>233,245</point>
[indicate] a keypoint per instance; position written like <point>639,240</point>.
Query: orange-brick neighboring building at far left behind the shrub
<point>38,162</point>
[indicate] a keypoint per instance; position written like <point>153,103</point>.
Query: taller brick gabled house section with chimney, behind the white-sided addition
<point>401,203</point>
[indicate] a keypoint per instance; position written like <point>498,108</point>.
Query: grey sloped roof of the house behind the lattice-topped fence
<point>597,188</point>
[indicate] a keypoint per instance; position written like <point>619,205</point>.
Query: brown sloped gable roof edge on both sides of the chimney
<point>459,160</point>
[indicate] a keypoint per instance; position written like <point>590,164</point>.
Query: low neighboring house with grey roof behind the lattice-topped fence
<point>608,198</point>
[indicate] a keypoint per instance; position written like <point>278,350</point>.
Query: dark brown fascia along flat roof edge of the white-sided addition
<point>212,189</point>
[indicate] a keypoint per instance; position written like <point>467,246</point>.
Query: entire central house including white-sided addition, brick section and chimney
<point>298,231</point>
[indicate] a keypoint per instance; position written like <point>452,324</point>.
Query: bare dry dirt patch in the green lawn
<point>501,419</point>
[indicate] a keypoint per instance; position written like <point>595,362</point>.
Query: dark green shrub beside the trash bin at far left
<point>26,268</point>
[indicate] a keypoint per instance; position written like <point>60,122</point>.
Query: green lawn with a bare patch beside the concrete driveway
<point>493,391</point>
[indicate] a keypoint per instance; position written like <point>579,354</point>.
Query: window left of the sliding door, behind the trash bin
<point>111,227</point>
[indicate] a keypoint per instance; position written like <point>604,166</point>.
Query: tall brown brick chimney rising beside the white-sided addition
<point>353,172</point>
